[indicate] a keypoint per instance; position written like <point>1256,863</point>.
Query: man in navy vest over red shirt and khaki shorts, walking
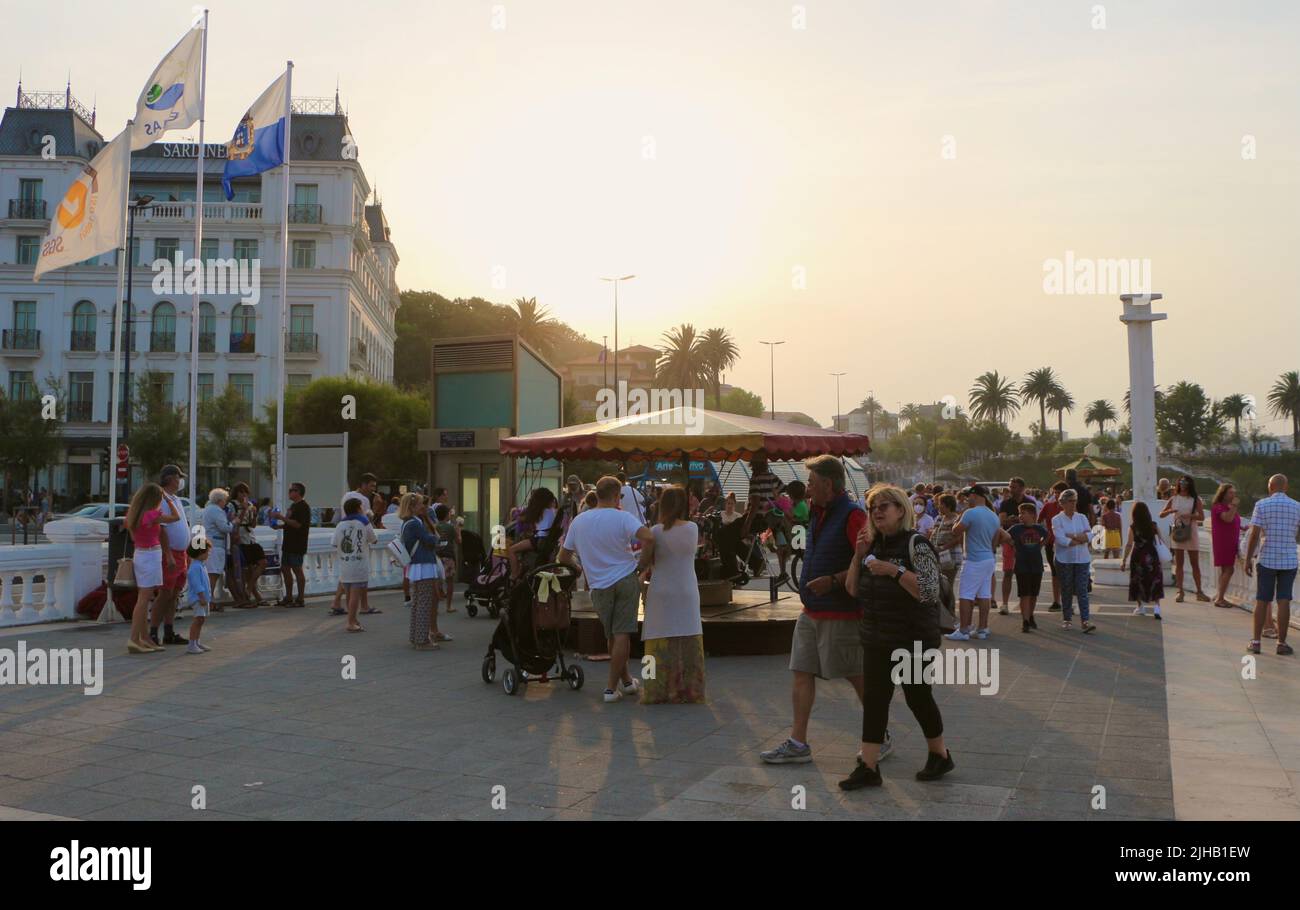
<point>827,642</point>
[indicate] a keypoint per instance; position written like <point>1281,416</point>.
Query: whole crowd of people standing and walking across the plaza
<point>876,575</point>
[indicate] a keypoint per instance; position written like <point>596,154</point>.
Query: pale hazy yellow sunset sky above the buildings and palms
<point>879,185</point>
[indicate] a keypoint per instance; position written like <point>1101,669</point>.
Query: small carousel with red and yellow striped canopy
<point>736,621</point>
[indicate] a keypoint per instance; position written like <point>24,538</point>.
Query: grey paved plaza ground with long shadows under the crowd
<point>1156,713</point>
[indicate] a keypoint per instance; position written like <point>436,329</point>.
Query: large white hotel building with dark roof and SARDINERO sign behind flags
<point>343,287</point>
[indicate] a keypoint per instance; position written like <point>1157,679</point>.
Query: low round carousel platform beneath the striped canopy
<point>751,625</point>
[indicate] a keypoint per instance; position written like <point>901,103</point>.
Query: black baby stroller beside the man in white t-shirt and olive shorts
<point>531,632</point>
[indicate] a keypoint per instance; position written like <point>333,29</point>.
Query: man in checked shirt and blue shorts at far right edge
<point>1277,519</point>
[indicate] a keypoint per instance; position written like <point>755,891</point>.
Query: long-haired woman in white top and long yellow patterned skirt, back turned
<point>673,631</point>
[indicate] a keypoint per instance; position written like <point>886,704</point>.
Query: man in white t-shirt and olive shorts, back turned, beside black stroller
<point>603,539</point>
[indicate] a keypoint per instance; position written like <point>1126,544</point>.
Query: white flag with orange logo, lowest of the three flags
<point>89,219</point>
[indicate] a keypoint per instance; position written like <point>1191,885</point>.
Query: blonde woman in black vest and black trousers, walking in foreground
<point>896,579</point>
